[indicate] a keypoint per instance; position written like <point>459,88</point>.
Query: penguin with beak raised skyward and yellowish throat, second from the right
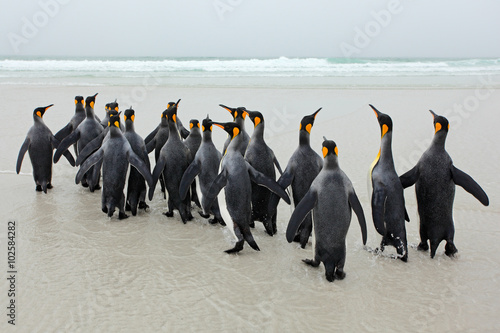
<point>388,203</point>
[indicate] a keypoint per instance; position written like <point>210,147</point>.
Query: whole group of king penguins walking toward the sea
<point>323,195</point>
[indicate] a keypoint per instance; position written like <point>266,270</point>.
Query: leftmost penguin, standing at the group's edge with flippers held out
<point>40,142</point>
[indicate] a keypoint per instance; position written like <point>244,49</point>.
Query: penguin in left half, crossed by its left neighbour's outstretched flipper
<point>136,189</point>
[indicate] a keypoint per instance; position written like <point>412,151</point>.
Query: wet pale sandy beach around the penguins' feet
<point>79,270</point>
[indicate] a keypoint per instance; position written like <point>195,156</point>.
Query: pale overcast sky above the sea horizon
<point>251,28</point>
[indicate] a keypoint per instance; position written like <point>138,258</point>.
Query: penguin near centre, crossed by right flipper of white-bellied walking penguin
<point>262,158</point>
